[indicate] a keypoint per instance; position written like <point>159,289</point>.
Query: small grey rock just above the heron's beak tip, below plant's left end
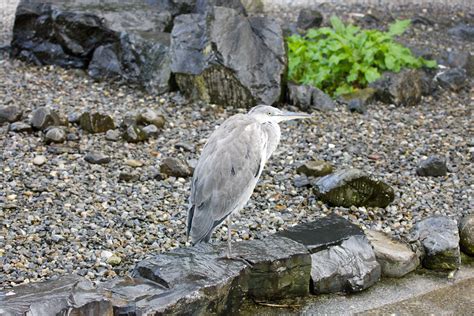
<point>308,98</point>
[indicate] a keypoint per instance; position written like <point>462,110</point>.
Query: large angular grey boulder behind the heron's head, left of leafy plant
<point>226,58</point>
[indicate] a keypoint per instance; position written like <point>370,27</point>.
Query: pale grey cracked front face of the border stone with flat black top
<point>348,267</point>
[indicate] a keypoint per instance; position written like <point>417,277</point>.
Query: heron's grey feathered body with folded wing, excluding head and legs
<point>226,174</point>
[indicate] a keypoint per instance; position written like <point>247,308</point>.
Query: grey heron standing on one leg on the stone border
<point>229,167</point>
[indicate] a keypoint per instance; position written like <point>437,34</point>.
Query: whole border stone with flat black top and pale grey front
<point>342,259</point>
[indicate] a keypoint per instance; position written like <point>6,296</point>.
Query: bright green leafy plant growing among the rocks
<point>343,58</point>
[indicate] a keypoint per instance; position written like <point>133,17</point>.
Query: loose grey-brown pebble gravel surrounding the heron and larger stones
<point>69,216</point>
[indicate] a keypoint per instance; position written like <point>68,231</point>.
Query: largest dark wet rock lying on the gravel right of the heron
<point>353,187</point>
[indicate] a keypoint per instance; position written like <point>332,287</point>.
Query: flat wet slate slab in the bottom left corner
<point>68,295</point>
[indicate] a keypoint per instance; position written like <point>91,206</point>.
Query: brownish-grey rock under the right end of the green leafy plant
<point>403,88</point>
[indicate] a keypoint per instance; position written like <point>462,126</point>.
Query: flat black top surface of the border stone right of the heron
<point>322,233</point>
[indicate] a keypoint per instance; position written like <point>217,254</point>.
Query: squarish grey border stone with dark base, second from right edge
<point>439,237</point>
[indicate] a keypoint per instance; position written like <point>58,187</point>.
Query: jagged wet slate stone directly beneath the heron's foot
<point>196,280</point>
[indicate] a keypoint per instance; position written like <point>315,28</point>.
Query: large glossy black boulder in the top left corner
<point>111,39</point>
